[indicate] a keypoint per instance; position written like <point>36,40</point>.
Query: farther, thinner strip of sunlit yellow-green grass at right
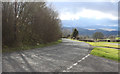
<point>103,44</point>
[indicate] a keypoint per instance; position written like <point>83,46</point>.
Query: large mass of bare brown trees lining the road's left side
<point>29,23</point>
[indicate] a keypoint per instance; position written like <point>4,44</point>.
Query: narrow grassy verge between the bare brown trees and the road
<point>27,47</point>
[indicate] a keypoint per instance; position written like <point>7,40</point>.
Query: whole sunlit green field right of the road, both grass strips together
<point>107,50</point>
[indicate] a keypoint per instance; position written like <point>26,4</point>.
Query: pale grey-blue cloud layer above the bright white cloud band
<point>107,7</point>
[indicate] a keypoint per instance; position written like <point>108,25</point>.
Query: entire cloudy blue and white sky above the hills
<point>89,15</point>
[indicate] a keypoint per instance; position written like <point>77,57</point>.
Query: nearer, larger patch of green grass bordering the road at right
<point>108,53</point>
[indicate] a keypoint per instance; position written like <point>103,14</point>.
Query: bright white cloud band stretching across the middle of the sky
<point>87,13</point>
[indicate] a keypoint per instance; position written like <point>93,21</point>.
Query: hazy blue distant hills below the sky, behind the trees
<point>90,32</point>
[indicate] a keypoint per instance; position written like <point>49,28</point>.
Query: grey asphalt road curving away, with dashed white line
<point>68,56</point>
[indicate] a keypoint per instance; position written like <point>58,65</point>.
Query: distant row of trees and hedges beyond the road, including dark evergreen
<point>75,35</point>
